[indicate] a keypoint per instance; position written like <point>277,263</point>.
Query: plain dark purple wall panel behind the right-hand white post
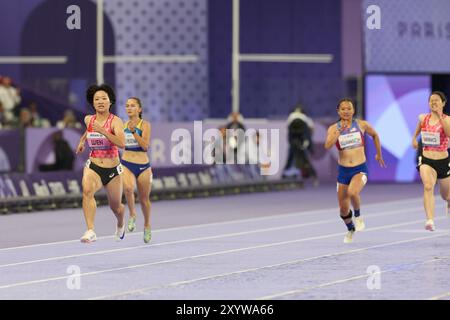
<point>278,27</point>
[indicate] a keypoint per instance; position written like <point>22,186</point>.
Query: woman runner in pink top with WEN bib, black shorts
<point>104,135</point>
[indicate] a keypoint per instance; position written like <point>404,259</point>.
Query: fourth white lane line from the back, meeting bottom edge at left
<point>217,276</point>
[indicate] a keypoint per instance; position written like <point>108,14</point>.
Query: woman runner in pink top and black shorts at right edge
<point>433,161</point>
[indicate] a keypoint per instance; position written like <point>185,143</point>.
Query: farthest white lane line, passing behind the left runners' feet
<point>276,216</point>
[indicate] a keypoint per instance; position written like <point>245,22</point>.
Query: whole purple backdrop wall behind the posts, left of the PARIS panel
<point>175,92</point>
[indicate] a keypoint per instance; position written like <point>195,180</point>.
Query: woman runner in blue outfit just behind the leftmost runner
<point>137,169</point>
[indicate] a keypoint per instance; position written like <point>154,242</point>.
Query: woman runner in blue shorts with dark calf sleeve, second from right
<point>348,136</point>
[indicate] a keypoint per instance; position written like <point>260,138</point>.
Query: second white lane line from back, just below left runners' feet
<point>220,236</point>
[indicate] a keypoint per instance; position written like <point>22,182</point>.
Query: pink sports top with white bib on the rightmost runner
<point>433,136</point>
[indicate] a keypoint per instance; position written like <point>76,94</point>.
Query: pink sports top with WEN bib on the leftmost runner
<point>100,146</point>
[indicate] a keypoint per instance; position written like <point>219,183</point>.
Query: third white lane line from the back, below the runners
<point>17,284</point>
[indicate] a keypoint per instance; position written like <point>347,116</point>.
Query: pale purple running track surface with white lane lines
<point>280,245</point>
